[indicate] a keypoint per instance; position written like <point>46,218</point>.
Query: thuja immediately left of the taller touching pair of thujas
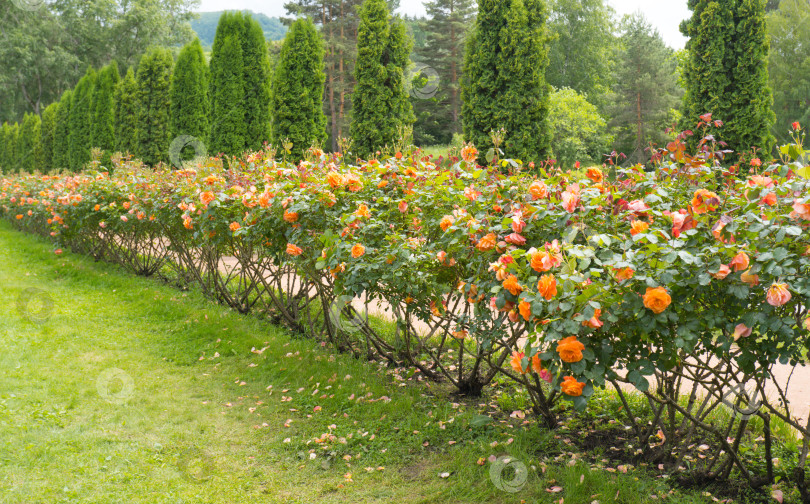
<point>189,95</point>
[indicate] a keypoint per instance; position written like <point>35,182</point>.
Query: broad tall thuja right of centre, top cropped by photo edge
<point>504,85</point>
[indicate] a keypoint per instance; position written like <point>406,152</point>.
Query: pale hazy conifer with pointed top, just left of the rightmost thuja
<point>646,90</point>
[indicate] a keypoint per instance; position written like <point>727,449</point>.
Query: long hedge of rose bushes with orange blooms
<point>562,281</point>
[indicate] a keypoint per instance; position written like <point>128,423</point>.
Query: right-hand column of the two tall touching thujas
<point>257,77</point>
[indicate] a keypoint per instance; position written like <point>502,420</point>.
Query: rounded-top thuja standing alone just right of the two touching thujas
<point>298,86</point>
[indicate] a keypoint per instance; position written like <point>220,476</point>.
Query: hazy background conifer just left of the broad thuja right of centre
<point>437,105</point>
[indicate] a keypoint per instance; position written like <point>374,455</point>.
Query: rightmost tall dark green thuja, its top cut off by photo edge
<point>727,72</point>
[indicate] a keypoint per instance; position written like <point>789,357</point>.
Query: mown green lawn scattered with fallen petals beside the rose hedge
<point>129,391</point>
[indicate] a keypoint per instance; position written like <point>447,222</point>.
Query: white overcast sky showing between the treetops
<point>665,15</point>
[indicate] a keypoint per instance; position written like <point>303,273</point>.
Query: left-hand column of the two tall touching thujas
<point>228,128</point>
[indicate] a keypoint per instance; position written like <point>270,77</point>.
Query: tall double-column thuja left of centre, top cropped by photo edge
<point>381,109</point>
